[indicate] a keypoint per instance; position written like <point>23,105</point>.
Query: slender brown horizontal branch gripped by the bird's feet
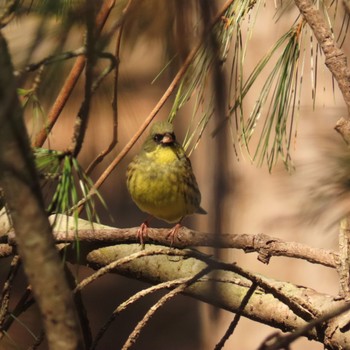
<point>266,246</point>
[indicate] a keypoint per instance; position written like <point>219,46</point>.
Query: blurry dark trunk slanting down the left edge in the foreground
<point>36,247</point>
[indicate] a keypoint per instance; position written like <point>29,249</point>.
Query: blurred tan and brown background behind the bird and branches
<point>251,199</point>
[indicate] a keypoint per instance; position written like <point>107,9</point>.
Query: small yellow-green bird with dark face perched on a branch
<point>161,181</point>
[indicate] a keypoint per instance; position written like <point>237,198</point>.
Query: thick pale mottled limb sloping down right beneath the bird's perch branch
<point>230,290</point>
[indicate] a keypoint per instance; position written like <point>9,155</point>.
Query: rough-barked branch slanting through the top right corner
<point>335,58</point>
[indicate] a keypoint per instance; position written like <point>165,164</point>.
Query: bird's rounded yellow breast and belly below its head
<point>162,184</point>
